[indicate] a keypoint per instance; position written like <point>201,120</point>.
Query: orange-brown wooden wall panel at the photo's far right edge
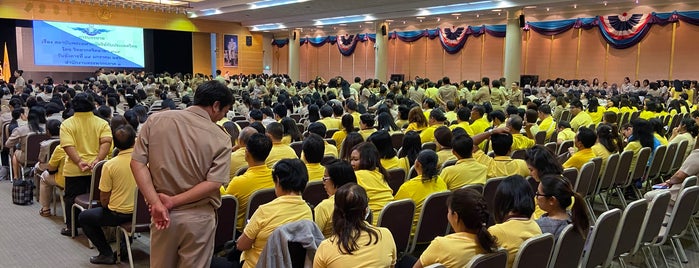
<point>686,56</point>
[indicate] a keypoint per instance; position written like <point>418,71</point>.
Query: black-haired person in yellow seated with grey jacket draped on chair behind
<point>290,178</point>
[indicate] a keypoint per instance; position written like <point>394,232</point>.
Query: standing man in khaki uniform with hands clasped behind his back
<point>182,189</point>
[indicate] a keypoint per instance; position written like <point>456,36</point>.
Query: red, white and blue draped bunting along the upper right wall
<point>620,31</point>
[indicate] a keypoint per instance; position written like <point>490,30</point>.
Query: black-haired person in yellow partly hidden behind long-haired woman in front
<point>337,174</point>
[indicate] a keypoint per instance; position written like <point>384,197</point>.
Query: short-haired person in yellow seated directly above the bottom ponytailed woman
<point>466,170</point>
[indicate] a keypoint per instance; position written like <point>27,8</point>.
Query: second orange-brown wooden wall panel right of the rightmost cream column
<point>564,54</point>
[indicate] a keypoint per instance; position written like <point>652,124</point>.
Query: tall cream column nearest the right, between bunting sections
<point>513,48</point>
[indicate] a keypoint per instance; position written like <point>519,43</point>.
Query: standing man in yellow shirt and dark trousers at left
<point>86,139</point>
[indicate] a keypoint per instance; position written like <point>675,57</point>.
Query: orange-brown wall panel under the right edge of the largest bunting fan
<point>655,54</point>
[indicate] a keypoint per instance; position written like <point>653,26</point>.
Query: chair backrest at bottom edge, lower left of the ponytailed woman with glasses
<point>535,252</point>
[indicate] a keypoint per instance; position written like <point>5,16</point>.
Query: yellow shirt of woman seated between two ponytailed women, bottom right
<point>512,233</point>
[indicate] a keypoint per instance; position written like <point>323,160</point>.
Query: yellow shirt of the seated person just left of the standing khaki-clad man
<point>118,179</point>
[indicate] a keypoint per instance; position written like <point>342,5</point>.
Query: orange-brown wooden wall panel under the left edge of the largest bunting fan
<point>592,51</point>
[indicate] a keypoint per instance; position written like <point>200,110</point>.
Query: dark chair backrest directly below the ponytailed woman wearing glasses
<point>568,249</point>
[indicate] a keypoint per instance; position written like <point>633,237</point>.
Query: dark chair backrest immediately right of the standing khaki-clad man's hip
<point>226,220</point>
